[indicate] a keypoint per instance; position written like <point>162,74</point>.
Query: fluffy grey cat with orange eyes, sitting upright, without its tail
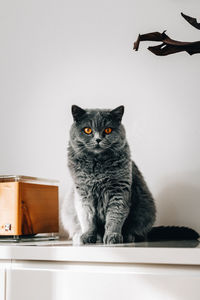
<point>110,200</point>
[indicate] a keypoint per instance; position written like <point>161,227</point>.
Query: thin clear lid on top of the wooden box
<point>28,179</point>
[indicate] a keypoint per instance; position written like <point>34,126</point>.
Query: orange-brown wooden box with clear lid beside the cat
<point>28,205</point>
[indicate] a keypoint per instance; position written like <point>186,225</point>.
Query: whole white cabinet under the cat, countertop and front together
<point>57,270</point>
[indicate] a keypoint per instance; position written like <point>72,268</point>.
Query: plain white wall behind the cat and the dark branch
<point>57,53</point>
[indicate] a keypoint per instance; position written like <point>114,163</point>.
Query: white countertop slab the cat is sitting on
<point>63,251</point>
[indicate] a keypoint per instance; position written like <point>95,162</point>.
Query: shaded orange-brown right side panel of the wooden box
<point>39,208</point>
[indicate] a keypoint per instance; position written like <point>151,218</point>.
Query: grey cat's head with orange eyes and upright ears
<point>97,130</point>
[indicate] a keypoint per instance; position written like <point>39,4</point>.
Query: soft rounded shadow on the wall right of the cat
<point>179,204</point>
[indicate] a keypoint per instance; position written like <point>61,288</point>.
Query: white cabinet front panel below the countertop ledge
<point>107,282</point>
